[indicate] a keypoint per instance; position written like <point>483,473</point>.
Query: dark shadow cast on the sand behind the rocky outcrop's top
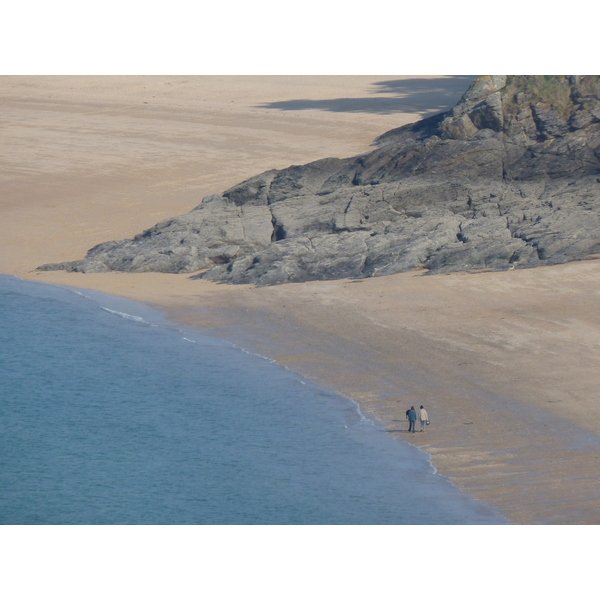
<point>428,96</point>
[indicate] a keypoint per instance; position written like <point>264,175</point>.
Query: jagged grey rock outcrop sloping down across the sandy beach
<point>509,178</point>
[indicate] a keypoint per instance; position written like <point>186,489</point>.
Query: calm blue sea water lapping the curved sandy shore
<point>109,414</point>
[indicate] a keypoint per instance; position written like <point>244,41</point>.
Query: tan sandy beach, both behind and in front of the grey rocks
<point>506,363</point>
